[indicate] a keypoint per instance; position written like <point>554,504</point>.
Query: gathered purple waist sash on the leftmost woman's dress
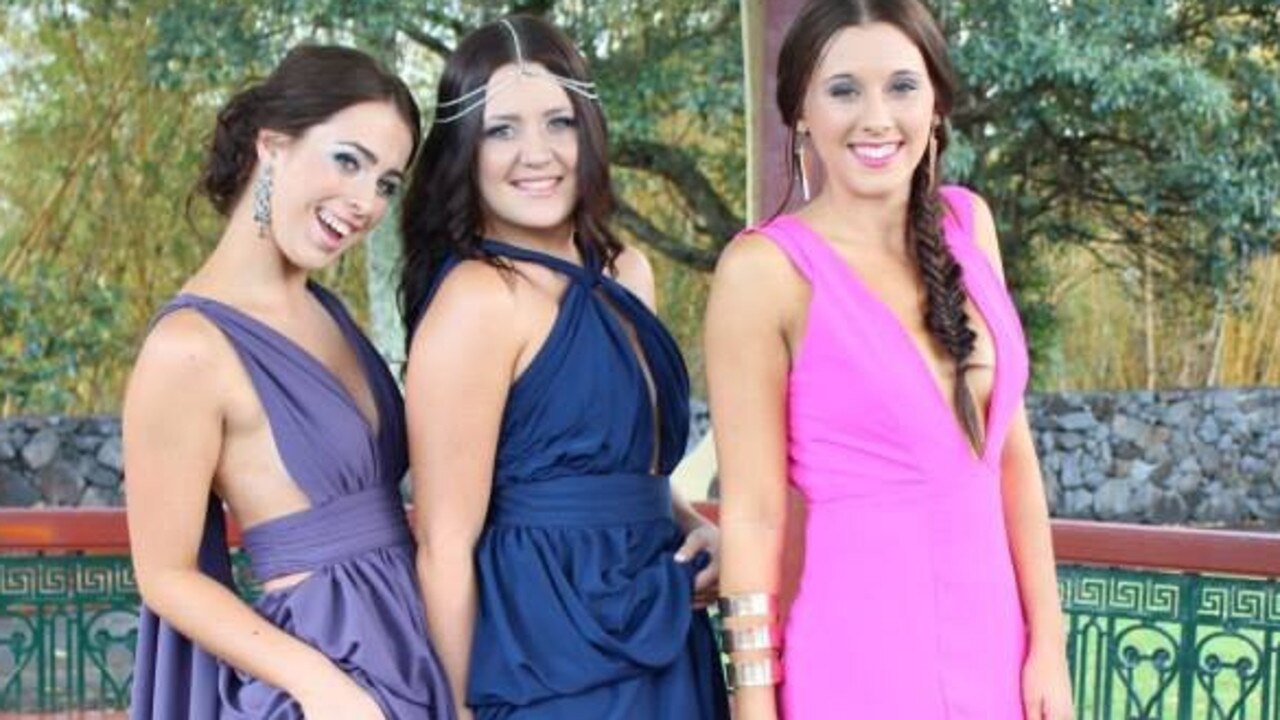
<point>330,534</point>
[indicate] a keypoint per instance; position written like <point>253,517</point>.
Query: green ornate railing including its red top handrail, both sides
<point>1203,644</point>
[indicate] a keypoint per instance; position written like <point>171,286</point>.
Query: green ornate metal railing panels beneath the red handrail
<point>1142,645</point>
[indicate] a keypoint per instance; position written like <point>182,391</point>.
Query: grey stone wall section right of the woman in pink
<point>1178,457</point>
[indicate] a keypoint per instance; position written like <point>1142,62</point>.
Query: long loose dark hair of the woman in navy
<point>441,215</point>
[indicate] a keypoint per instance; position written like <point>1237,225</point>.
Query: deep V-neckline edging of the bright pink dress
<point>880,307</point>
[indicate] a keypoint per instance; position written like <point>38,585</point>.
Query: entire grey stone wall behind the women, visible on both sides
<point>1181,457</point>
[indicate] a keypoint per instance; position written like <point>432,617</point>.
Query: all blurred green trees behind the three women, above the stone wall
<point>1130,152</point>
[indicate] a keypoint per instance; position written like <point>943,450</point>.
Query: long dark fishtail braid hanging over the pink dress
<point>945,297</point>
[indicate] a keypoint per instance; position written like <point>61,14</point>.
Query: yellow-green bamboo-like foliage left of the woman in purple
<point>95,168</point>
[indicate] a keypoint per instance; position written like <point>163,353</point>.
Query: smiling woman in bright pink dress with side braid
<point>866,350</point>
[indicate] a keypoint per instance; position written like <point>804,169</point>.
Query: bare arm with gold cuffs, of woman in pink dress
<point>747,370</point>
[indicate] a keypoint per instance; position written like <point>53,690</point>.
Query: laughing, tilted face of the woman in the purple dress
<point>335,183</point>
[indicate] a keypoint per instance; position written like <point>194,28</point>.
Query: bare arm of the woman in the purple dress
<point>171,455</point>
